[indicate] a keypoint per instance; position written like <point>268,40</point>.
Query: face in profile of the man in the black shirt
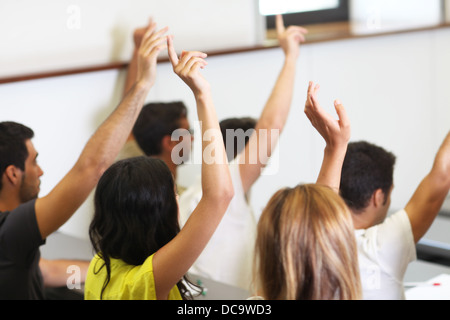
<point>30,186</point>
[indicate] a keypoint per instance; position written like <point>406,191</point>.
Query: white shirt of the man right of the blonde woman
<point>384,252</point>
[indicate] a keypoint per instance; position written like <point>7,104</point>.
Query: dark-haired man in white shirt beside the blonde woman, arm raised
<point>386,244</point>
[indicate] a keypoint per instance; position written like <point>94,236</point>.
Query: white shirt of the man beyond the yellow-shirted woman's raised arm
<point>228,256</point>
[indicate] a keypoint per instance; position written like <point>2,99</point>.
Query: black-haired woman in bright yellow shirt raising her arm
<point>136,200</point>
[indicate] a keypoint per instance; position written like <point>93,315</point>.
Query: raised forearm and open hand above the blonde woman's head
<point>336,134</point>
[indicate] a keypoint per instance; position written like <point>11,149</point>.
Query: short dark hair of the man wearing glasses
<point>156,121</point>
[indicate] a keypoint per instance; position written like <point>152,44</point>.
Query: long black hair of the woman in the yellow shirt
<point>134,200</point>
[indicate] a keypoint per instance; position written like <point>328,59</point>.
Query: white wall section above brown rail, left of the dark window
<point>47,35</point>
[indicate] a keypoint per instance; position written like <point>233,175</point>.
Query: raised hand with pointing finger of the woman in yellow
<point>187,67</point>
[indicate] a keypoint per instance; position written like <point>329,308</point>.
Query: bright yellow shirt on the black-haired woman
<point>127,282</point>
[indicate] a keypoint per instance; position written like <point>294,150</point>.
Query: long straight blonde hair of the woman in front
<point>305,247</point>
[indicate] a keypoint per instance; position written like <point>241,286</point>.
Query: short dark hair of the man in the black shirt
<point>13,150</point>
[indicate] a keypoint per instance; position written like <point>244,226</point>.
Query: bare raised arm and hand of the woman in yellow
<point>173,261</point>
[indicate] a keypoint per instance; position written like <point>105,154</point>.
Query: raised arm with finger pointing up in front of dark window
<point>276,110</point>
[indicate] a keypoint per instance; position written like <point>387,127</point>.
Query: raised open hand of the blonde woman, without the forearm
<point>336,133</point>
